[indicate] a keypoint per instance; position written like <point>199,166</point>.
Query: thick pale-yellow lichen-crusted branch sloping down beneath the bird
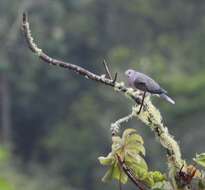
<point>151,116</point>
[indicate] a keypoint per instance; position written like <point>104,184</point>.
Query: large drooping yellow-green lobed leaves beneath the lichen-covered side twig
<point>130,149</point>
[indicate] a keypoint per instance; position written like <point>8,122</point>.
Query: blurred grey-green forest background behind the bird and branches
<point>54,124</point>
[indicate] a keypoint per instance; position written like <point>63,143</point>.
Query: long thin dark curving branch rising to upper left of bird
<point>79,70</point>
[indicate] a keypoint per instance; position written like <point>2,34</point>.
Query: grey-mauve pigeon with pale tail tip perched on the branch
<point>141,81</point>
